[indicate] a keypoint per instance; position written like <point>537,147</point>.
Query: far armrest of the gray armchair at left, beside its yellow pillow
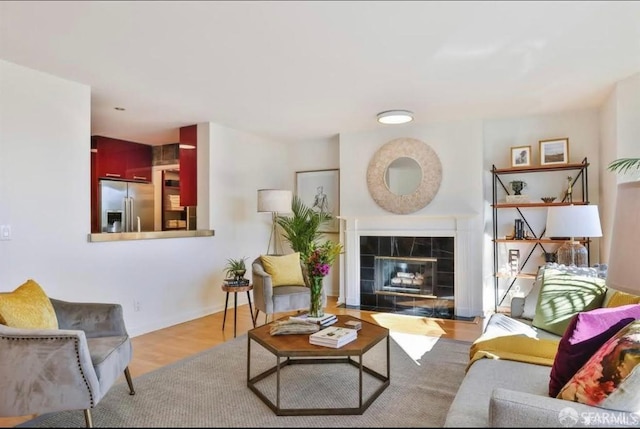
<point>95,319</point>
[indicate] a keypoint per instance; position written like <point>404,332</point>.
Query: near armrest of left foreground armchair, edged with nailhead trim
<point>45,370</point>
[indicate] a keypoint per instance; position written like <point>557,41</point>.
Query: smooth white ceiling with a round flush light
<point>304,70</point>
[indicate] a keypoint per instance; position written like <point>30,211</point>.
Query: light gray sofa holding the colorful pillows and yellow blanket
<point>508,393</point>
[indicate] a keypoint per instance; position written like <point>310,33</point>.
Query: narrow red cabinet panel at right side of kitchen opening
<point>188,166</point>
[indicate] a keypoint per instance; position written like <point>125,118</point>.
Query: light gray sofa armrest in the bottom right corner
<point>510,408</point>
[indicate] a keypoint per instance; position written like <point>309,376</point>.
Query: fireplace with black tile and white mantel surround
<point>408,264</point>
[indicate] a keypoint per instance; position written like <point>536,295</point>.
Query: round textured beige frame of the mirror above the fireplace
<point>428,161</point>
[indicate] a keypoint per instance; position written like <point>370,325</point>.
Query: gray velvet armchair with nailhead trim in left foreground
<point>70,368</point>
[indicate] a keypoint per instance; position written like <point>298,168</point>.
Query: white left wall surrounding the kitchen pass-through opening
<point>44,196</point>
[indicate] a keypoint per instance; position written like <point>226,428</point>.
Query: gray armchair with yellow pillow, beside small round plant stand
<point>280,285</point>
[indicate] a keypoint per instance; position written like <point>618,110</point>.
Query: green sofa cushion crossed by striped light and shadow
<point>564,294</point>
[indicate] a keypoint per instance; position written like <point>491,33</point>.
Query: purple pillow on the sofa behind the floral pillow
<point>586,333</point>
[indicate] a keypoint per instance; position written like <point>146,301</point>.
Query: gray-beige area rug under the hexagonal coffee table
<point>210,390</point>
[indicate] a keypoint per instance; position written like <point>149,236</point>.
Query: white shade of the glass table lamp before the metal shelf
<point>573,221</point>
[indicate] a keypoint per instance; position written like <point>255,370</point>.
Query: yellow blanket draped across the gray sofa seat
<point>514,347</point>
